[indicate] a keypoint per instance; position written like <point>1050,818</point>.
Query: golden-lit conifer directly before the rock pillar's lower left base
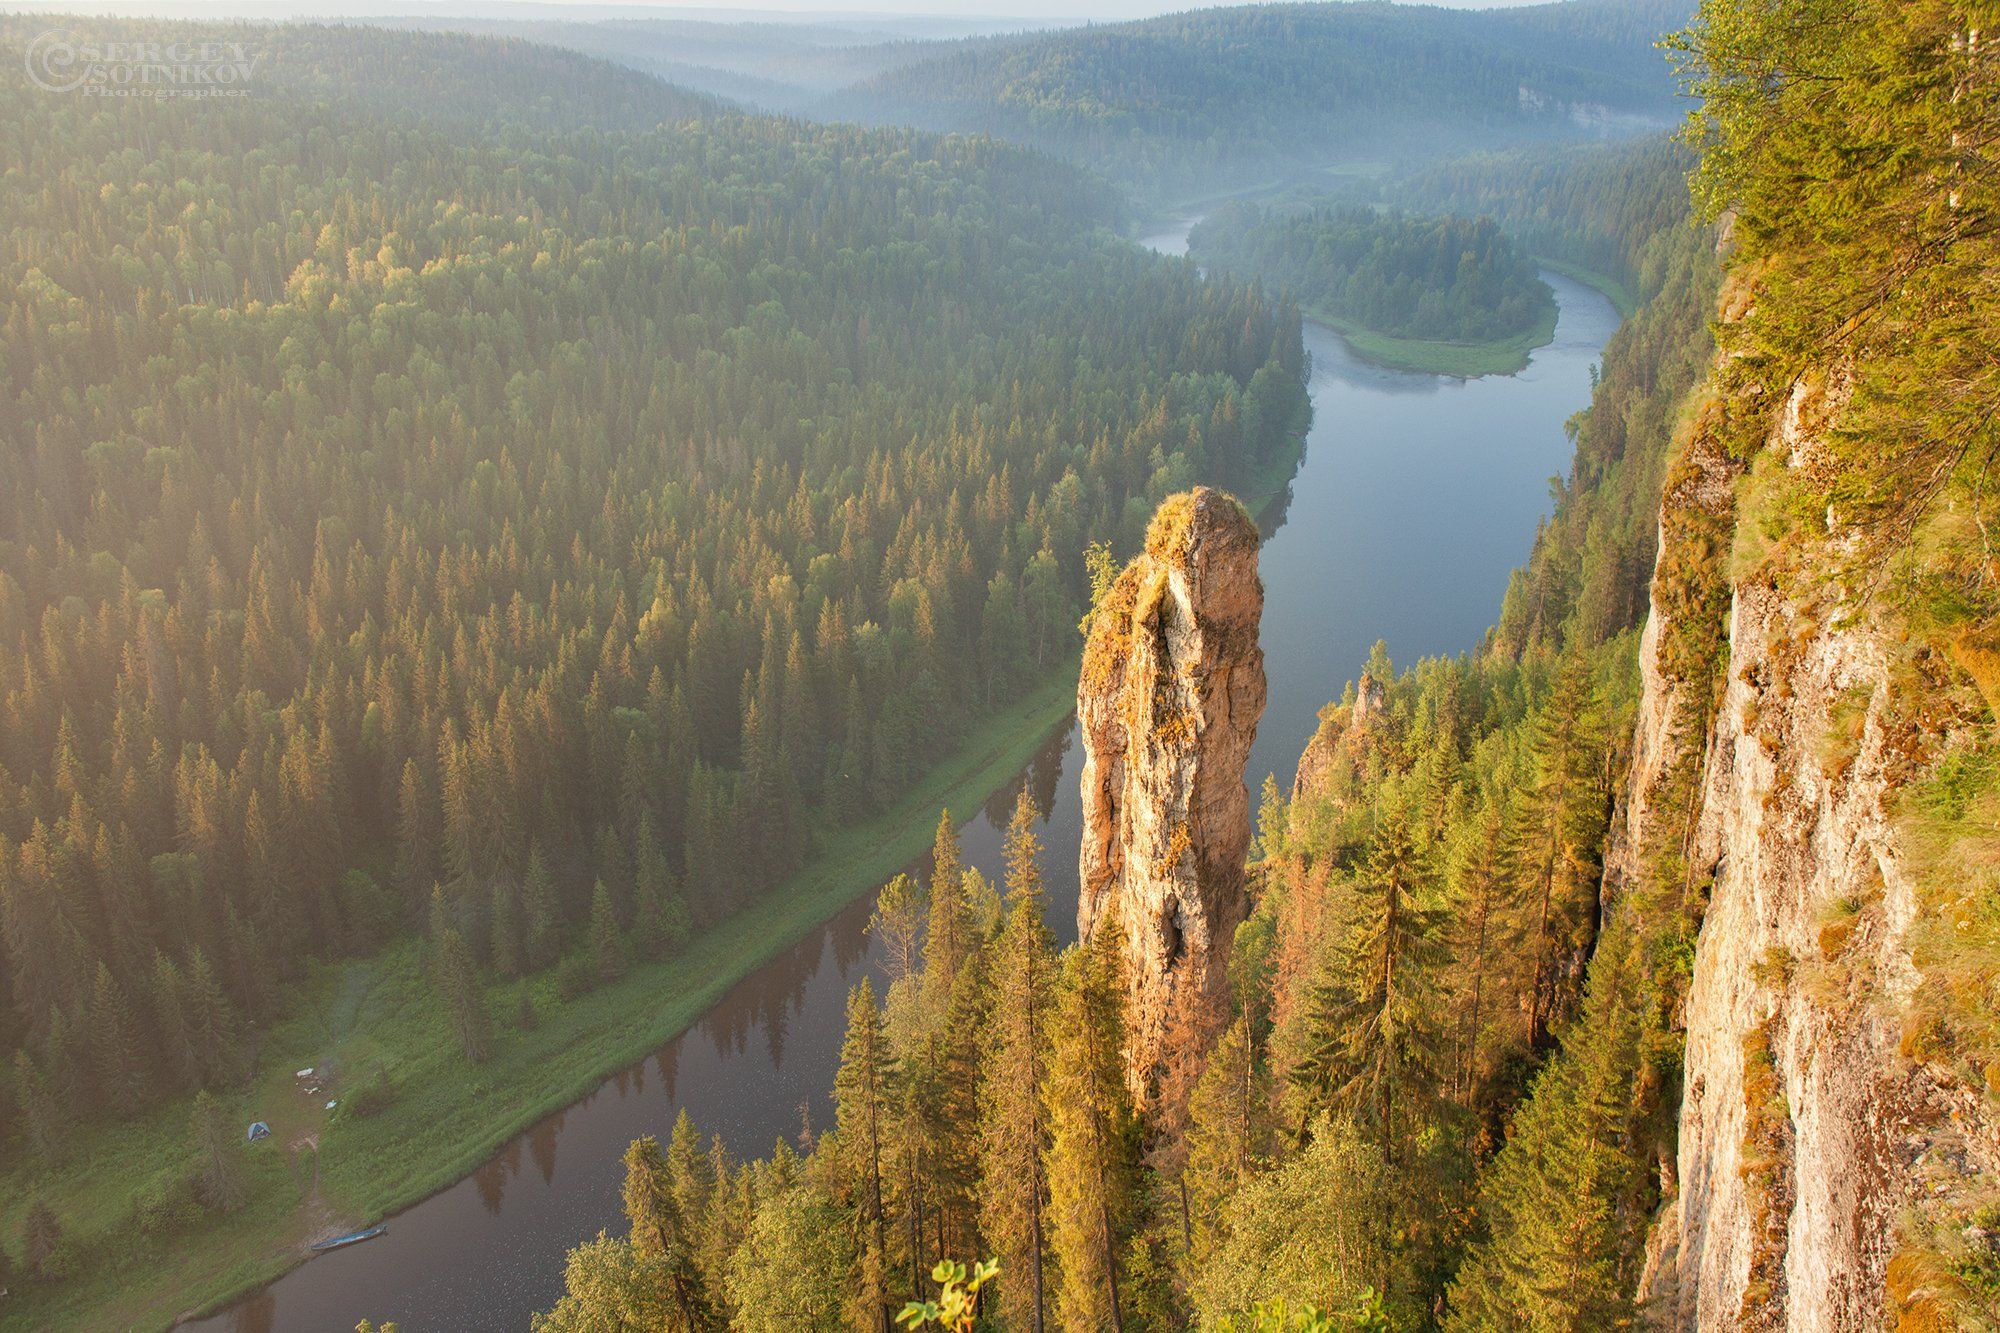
<point>1093,1144</point>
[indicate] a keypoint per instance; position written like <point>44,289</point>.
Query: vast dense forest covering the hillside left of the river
<point>523,505</point>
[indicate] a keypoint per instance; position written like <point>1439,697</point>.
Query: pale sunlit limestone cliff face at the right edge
<point>1805,1134</point>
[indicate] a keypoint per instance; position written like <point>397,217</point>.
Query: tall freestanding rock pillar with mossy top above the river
<point>1169,704</point>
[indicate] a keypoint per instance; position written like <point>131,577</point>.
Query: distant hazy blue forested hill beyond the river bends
<point>1233,95</point>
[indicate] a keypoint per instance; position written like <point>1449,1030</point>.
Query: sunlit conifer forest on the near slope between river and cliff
<point>1445,1086</point>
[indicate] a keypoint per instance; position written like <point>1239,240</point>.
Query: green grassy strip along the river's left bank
<point>379,1018</point>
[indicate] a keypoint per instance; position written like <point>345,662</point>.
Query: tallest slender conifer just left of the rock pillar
<point>1015,1128</point>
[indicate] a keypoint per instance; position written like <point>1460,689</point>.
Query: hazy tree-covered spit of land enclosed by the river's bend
<point>1443,295</point>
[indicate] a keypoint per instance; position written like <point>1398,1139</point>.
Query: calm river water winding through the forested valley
<point>1415,501</point>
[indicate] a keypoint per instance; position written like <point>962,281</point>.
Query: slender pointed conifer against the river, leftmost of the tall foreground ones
<point>863,1110</point>
